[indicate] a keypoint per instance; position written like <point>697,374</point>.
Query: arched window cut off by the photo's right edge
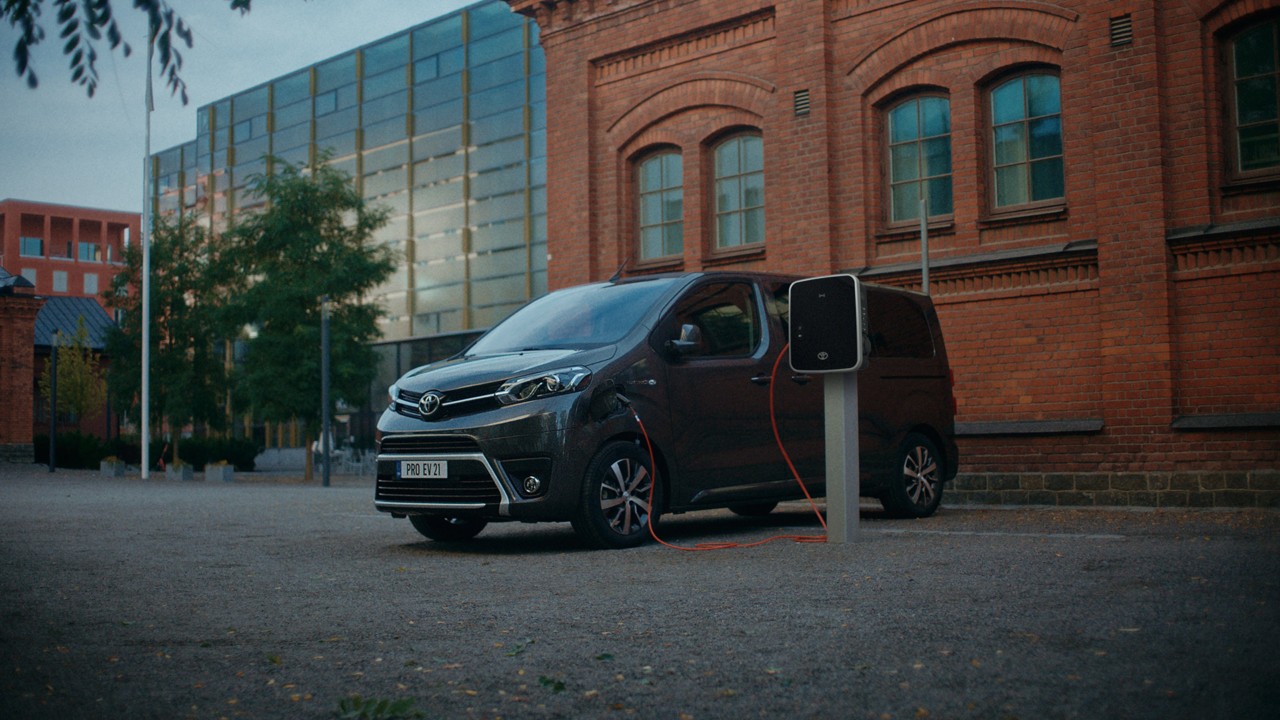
<point>1254,57</point>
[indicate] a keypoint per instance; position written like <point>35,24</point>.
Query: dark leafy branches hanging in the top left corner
<point>84,26</point>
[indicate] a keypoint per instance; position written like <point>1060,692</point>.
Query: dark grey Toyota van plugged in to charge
<point>538,420</point>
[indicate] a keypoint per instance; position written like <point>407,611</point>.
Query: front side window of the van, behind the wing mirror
<point>724,320</point>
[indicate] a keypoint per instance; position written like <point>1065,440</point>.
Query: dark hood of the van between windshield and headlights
<point>468,371</point>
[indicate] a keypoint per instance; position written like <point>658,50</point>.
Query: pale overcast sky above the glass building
<point>57,145</point>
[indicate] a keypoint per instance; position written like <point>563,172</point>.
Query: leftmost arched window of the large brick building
<point>661,204</point>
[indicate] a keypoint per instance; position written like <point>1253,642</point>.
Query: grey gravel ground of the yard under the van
<point>272,599</point>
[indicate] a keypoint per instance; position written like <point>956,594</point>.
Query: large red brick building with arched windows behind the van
<point>1104,206</point>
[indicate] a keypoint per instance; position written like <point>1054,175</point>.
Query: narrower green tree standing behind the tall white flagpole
<point>189,377</point>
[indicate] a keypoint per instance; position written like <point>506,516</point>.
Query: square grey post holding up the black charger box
<point>844,486</point>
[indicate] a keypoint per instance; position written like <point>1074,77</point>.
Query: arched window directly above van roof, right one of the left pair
<point>738,162</point>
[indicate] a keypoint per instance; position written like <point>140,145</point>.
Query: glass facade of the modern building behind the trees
<point>444,124</point>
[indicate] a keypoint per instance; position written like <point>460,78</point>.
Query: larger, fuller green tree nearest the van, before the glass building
<point>314,239</point>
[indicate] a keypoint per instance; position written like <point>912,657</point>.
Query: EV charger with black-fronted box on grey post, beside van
<point>828,338</point>
